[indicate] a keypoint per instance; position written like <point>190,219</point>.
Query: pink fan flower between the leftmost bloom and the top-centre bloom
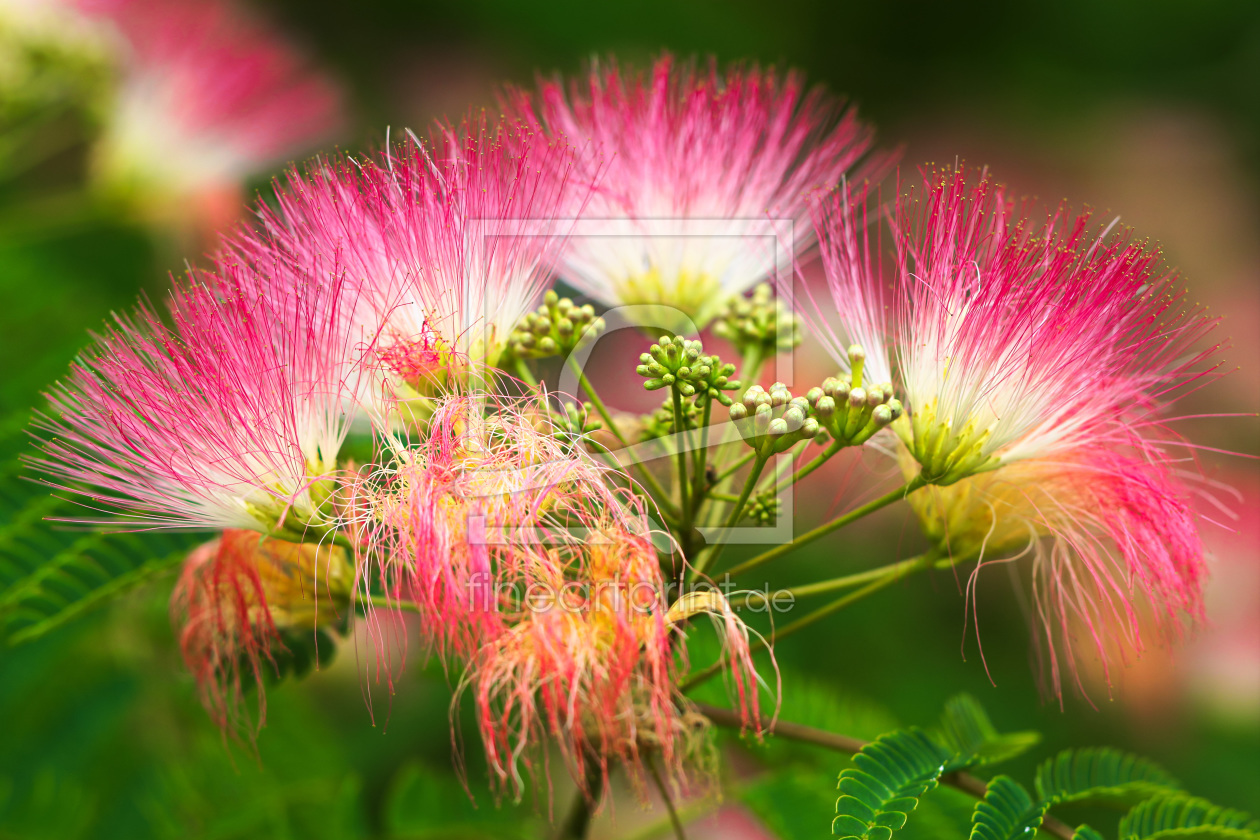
<point>449,241</point>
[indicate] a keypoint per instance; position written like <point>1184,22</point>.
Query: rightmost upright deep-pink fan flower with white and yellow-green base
<point>1022,339</point>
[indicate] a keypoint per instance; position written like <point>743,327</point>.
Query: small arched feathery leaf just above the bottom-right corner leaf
<point>1101,773</point>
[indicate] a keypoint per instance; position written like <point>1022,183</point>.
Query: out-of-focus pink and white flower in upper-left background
<point>207,98</point>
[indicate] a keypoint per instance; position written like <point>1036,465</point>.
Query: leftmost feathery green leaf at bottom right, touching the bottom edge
<point>885,784</point>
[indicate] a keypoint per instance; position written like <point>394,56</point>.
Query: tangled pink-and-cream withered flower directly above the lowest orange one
<point>462,513</point>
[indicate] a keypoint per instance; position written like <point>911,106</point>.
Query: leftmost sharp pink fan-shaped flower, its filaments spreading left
<point>232,419</point>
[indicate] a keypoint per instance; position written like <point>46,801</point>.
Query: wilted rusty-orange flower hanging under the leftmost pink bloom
<point>238,596</point>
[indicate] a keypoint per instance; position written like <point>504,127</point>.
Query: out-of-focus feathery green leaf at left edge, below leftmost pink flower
<point>46,589</point>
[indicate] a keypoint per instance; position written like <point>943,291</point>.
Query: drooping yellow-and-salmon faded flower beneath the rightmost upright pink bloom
<point>1113,542</point>
